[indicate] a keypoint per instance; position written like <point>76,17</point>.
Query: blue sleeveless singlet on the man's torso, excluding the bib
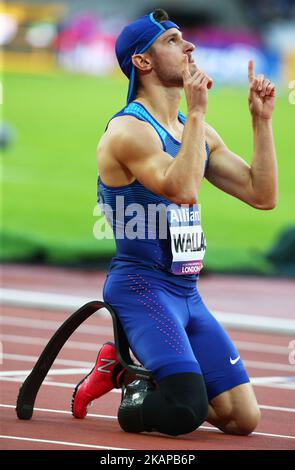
<point>150,252</point>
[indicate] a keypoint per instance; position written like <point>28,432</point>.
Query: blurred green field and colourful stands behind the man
<point>60,84</point>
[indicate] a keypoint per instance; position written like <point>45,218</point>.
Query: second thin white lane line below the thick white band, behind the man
<point>86,346</point>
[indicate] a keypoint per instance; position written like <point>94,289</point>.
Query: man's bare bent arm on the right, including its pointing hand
<point>255,184</point>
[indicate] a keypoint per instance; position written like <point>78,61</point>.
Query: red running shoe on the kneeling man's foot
<point>104,376</point>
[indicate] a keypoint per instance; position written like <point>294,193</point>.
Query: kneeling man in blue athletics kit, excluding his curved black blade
<point>151,154</point>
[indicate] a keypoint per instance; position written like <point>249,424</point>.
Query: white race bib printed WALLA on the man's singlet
<point>188,243</point>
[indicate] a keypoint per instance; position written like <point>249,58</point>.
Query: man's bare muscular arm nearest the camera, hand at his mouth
<point>137,147</point>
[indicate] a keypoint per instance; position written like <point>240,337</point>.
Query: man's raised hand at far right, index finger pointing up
<point>261,94</point>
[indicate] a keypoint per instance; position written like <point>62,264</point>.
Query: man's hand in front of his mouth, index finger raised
<point>196,88</point>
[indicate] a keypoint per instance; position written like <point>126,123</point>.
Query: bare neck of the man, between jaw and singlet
<point>163,104</point>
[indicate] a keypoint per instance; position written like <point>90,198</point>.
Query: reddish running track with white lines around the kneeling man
<point>25,332</point>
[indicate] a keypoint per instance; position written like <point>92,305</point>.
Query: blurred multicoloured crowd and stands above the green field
<point>80,35</point>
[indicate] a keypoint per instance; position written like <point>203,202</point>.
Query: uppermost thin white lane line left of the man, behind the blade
<point>50,325</point>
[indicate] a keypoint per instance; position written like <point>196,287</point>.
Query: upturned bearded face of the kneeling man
<point>168,53</point>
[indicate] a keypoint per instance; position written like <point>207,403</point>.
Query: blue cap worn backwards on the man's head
<point>135,39</point>
